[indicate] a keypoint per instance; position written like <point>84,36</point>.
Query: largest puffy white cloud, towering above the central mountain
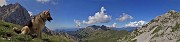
<point>99,17</point>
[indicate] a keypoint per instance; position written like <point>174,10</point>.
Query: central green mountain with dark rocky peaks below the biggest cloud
<point>96,33</point>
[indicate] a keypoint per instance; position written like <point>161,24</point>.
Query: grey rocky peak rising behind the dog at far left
<point>14,13</point>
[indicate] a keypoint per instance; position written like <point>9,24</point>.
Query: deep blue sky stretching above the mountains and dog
<point>64,12</point>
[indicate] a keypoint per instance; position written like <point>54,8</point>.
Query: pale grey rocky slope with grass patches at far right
<point>164,28</point>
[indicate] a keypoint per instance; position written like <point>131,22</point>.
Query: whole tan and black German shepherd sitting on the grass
<point>36,24</point>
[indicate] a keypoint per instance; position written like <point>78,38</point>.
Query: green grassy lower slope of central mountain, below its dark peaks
<point>105,36</point>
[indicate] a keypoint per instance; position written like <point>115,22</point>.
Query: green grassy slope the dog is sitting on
<point>6,28</point>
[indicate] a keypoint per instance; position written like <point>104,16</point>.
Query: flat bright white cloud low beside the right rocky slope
<point>136,24</point>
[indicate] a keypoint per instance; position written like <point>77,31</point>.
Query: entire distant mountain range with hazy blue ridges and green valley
<point>94,31</point>
